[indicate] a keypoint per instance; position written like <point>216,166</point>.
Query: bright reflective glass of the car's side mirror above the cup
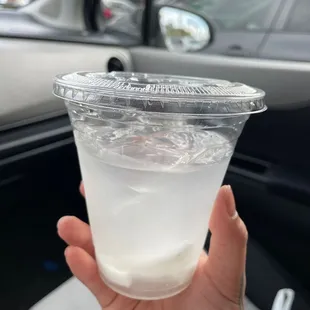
<point>182,30</point>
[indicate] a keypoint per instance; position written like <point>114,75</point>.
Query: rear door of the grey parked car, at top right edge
<point>290,38</point>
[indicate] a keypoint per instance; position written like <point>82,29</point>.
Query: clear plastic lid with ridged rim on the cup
<point>159,93</point>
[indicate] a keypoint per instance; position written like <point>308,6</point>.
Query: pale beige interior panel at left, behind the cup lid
<point>26,91</point>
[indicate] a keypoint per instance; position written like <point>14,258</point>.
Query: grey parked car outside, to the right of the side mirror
<point>264,29</point>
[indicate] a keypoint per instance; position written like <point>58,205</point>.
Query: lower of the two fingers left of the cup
<point>84,267</point>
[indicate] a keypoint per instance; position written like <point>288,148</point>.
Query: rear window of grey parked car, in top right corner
<point>299,20</point>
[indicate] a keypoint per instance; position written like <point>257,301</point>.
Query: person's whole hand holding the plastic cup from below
<point>219,281</point>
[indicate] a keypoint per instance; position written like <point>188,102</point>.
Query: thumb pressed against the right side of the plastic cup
<point>227,254</point>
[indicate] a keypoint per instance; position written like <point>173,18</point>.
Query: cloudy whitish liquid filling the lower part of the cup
<point>149,222</point>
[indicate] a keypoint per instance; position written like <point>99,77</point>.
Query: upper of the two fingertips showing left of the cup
<point>77,233</point>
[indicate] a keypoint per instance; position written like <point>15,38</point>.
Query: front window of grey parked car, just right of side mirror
<point>229,15</point>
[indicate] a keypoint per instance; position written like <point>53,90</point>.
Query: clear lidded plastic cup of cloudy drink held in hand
<point>153,152</point>
